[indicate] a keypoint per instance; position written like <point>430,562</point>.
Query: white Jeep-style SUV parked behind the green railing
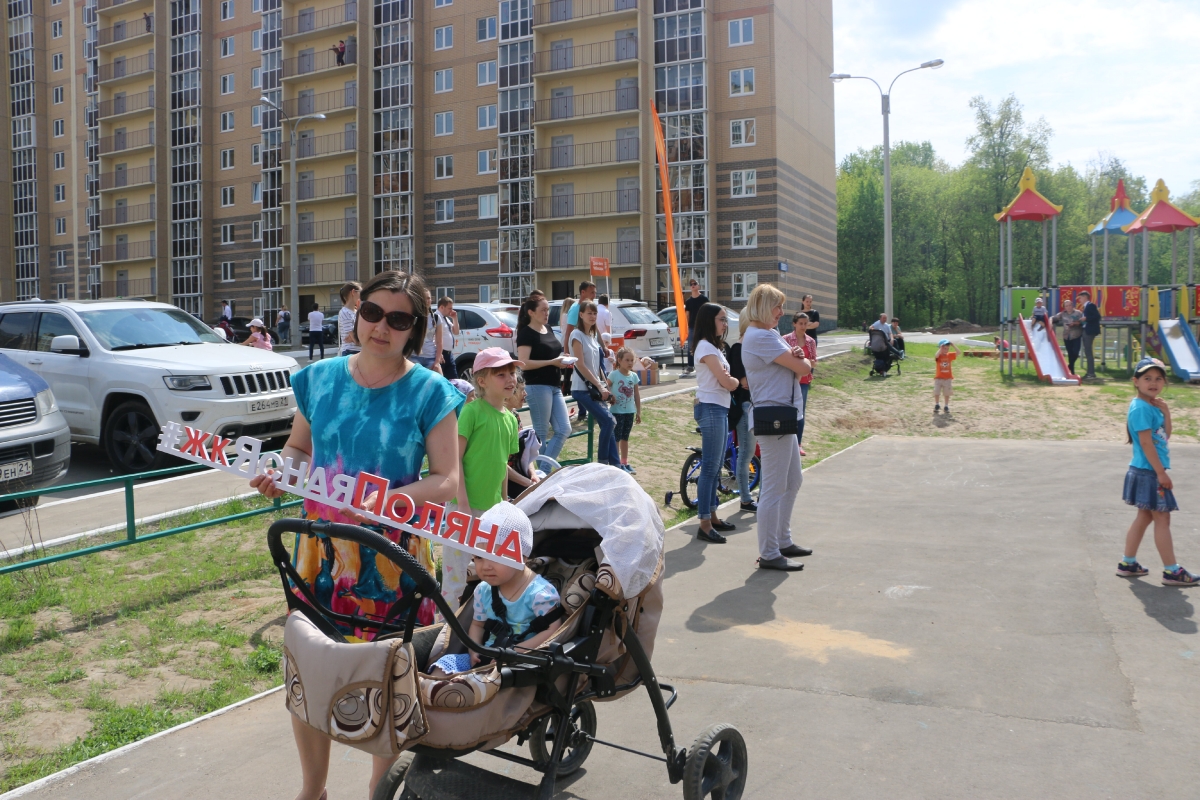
<point>123,369</point>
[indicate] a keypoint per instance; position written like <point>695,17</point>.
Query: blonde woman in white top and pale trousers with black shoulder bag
<point>773,371</point>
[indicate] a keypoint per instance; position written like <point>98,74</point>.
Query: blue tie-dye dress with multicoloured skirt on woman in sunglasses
<point>379,431</point>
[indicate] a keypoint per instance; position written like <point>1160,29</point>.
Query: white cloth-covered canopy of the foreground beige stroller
<point>609,502</point>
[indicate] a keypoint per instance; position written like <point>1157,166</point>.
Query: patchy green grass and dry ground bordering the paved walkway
<point>106,649</point>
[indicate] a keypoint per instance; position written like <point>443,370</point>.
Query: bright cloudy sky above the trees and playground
<point>1114,79</point>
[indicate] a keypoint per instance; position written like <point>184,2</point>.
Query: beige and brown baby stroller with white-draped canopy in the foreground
<point>598,539</point>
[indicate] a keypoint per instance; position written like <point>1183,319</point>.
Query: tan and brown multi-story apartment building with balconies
<point>493,146</point>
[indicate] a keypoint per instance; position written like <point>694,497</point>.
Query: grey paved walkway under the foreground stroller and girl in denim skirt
<point>958,634</point>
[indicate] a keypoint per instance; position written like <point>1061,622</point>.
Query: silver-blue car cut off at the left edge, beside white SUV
<point>35,440</point>
